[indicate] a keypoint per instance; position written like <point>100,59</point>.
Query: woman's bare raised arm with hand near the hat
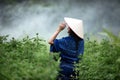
<point>59,29</point>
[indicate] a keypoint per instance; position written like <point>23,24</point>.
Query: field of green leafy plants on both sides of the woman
<point>29,59</point>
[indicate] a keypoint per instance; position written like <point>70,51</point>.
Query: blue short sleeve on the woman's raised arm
<point>56,46</point>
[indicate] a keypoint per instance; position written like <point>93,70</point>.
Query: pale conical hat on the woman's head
<point>76,25</point>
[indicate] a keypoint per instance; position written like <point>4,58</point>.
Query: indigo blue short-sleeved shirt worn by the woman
<point>67,48</point>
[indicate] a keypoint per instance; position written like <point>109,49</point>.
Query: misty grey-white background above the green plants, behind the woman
<point>28,17</point>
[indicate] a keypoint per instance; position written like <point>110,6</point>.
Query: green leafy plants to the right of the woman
<point>101,60</point>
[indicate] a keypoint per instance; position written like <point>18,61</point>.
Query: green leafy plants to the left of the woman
<point>27,59</point>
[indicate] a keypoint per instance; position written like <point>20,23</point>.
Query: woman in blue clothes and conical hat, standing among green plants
<point>70,47</point>
